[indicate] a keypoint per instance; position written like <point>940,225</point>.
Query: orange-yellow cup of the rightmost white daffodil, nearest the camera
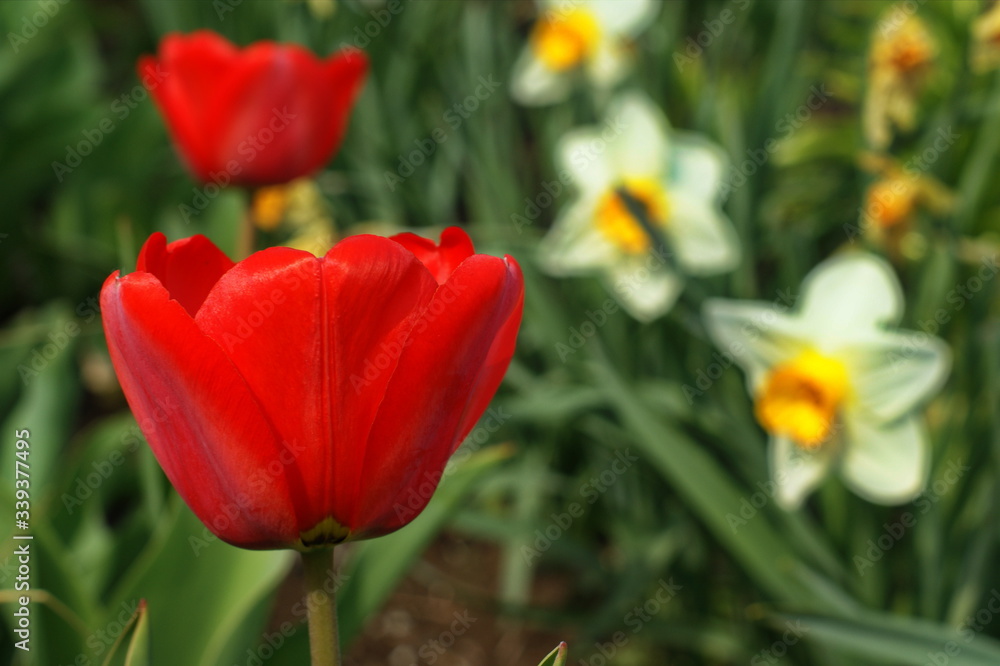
<point>800,398</point>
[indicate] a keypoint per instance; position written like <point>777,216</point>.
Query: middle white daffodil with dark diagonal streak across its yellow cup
<point>647,210</point>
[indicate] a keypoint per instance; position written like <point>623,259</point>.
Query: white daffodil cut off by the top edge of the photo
<point>571,36</point>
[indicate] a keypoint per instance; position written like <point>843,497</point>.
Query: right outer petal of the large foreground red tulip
<point>427,403</point>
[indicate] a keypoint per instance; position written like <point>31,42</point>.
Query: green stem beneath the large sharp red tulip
<point>321,602</point>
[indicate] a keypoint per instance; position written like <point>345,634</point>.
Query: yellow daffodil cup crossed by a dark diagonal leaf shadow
<point>624,222</point>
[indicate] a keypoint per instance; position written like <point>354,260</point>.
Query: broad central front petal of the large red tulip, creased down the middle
<point>320,338</point>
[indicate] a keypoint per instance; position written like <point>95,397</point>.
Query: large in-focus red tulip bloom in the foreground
<point>313,398</point>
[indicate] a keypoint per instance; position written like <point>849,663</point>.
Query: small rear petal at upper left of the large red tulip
<point>188,268</point>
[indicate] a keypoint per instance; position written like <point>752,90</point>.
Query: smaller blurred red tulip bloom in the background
<point>263,115</point>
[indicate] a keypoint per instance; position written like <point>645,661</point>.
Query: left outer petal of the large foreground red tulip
<point>202,422</point>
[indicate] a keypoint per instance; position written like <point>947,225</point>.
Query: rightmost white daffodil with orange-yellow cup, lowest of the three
<point>834,385</point>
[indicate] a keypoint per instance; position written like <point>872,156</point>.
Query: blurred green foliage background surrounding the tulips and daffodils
<point>702,461</point>
